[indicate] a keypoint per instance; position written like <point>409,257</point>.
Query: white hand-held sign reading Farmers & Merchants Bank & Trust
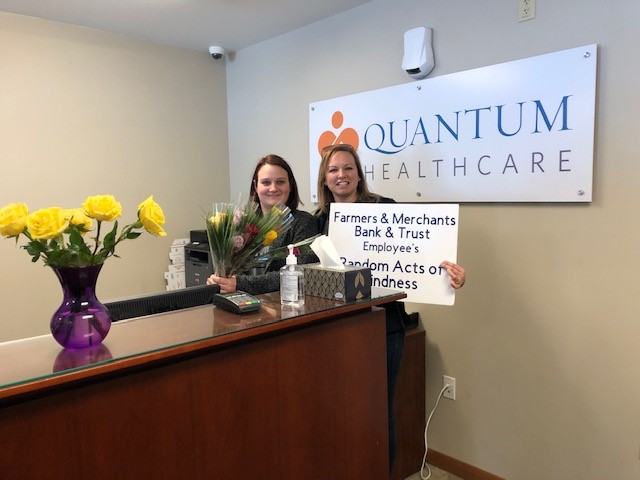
<point>403,244</point>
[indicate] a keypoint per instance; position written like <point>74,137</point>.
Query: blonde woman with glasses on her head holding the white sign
<point>341,180</point>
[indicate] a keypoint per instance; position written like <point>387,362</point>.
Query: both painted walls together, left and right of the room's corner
<point>542,340</point>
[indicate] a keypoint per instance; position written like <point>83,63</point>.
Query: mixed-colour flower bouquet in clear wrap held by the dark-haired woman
<point>239,236</point>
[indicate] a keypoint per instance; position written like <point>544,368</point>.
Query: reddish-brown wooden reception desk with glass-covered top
<point>202,393</point>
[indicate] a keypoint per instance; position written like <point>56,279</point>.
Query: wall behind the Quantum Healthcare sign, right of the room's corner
<point>543,341</point>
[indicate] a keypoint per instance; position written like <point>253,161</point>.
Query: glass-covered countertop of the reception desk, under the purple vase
<point>154,337</point>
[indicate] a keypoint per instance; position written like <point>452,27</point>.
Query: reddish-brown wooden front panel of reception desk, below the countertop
<point>305,404</point>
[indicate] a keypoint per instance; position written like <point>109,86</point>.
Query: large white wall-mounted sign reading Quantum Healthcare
<point>520,131</point>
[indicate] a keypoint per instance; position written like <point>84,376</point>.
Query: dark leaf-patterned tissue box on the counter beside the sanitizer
<point>352,283</point>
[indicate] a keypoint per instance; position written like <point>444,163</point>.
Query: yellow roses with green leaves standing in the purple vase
<point>57,235</point>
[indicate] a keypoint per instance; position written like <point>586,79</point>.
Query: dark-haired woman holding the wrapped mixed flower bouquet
<point>273,184</point>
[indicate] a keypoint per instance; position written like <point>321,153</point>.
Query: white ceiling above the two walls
<point>193,24</point>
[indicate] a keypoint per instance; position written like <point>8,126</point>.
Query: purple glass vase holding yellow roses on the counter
<point>81,321</point>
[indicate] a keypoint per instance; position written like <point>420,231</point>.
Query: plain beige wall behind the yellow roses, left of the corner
<point>83,112</point>
